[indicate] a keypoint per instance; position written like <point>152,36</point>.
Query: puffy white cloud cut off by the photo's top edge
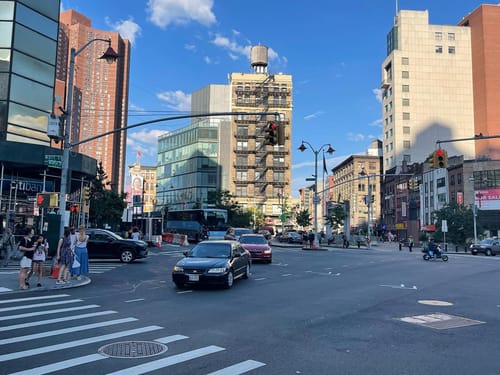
<point>163,13</point>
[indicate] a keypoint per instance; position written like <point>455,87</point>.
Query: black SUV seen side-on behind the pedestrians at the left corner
<point>104,244</point>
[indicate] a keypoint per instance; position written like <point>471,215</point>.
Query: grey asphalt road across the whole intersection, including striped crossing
<point>345,311</point>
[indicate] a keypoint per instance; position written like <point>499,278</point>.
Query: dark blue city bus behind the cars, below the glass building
<point>191,221</point>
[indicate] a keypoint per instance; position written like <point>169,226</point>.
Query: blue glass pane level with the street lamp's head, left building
<point>34,44</point>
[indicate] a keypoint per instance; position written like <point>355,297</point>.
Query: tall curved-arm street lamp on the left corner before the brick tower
<point>110,56</point>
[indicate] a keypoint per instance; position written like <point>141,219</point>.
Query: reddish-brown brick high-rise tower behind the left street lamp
<point>100,98</point>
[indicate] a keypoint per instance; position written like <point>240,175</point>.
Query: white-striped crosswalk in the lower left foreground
<point>55,332</point>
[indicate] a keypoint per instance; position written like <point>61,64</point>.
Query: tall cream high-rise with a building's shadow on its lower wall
<point>427,89</point>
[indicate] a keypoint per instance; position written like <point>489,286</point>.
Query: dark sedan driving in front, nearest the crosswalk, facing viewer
<point>217,262</point>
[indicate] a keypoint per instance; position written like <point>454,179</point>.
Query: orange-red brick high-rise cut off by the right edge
<point>484,25</point>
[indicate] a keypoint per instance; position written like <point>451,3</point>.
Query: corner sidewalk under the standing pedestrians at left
<point>9,281</point>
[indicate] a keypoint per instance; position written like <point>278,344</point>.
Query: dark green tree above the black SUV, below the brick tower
<point>106,205</point>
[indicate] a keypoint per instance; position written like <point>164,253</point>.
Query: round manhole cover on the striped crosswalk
<point>132,349</point>
